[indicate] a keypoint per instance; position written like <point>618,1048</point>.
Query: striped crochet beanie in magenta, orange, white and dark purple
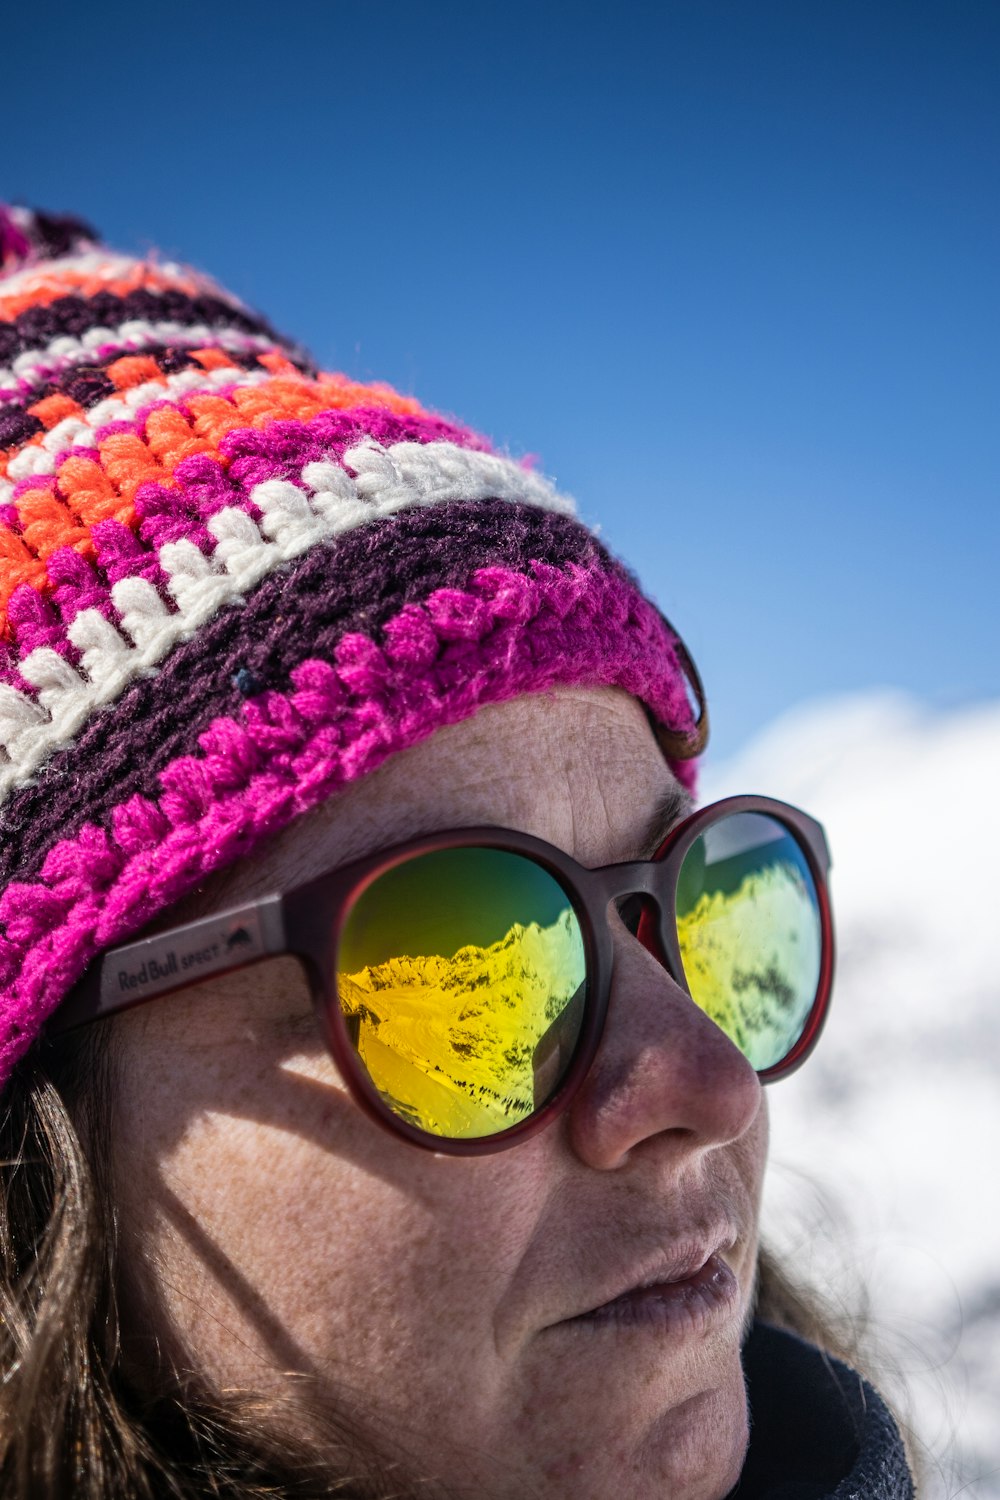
<point>232,584</point>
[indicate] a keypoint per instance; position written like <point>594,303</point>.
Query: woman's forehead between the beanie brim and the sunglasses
<point>578,767</point>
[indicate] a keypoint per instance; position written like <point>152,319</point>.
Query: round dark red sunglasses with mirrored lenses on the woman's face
<point>463,980</point>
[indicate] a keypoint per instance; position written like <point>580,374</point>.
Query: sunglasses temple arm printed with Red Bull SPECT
<point>175,959</point>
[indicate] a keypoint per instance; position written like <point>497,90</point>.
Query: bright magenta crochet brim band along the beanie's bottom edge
<point>284,754</point>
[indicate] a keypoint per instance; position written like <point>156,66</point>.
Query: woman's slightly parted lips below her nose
<point>692,1300</point>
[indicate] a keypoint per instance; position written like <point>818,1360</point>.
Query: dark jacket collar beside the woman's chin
<point>818,1432</point>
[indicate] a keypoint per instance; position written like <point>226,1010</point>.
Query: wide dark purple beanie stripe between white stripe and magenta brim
<point>358,583</point>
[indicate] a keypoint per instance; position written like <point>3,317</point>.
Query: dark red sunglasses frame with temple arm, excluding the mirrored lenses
<point>307,923</point>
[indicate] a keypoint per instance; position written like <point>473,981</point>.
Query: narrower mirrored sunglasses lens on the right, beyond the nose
<point>750,932</point>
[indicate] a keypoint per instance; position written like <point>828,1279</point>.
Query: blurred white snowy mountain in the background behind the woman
<point>896,1121</point>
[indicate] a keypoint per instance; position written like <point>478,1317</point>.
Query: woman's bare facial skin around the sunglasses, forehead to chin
<point>485,1313</point>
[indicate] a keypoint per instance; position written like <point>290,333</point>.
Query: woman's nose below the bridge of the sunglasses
<point>663,1072</point>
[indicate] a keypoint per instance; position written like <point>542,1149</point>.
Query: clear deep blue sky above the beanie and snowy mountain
<point>729,269</point>
